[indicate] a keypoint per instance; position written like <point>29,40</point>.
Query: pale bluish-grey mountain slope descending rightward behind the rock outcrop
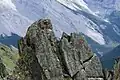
<point>16,19</point>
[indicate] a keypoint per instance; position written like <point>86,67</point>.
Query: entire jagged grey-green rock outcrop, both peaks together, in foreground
<point>46,58</point>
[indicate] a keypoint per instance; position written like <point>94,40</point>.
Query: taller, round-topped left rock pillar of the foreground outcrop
<point>40,45</point>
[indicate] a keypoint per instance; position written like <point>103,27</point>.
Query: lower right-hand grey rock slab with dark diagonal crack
<point>78,58</point>
